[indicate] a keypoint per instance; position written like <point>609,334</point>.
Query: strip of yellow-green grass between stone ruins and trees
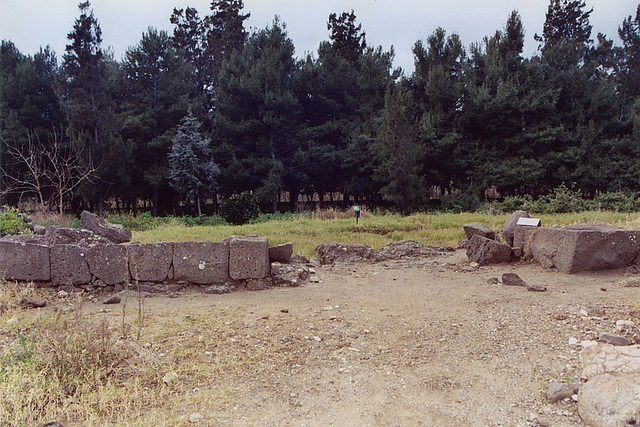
<point>375,231</point>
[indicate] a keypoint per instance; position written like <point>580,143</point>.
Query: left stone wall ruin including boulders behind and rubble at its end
<point>92,259</point>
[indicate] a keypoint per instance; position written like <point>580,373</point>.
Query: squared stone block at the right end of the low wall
<point>248,258</point>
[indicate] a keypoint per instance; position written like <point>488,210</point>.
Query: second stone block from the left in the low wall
<point>69,265</point>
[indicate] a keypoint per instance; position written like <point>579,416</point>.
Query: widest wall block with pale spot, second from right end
<point>201,262</point>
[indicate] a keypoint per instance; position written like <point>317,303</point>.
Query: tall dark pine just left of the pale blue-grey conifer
<point>159,87</point>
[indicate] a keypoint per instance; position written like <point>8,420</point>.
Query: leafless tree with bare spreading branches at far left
<point>50,169</point>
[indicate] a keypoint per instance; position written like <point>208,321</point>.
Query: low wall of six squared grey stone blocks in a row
<point>236,260</point>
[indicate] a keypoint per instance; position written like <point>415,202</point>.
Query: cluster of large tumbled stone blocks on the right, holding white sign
<point>581,247</point>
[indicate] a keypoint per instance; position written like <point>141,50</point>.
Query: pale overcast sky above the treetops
<point>34,23</point>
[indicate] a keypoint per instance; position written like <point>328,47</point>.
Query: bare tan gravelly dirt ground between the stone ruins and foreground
<point>412,342</point>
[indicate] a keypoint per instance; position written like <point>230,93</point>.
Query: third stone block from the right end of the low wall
<point>150,262</point>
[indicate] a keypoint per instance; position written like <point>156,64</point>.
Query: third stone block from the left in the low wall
<point>108,263</point>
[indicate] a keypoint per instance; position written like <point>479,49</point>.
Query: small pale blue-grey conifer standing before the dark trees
<point>193,173</point>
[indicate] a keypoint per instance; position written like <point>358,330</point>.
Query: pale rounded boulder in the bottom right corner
<point>610,401</point>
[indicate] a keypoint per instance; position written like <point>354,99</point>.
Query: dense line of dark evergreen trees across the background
<point>212,110</point>
